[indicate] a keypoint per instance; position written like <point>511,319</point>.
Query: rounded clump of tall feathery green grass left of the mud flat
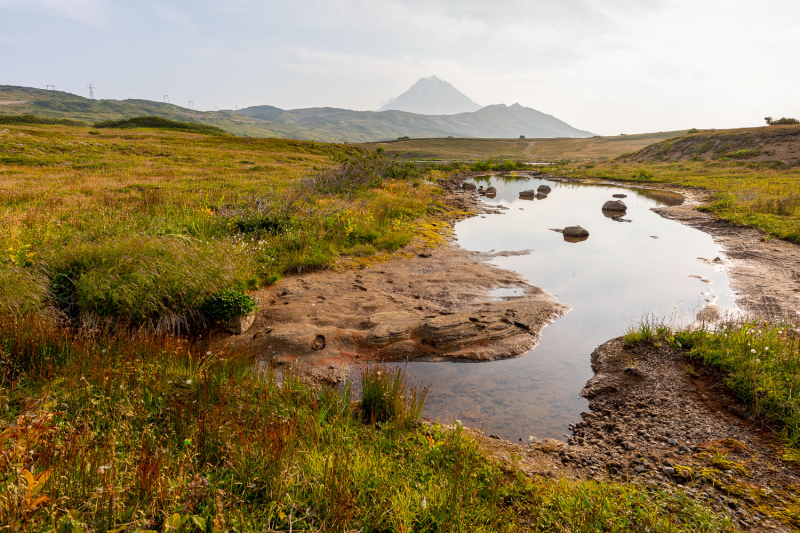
<point>145,280</point>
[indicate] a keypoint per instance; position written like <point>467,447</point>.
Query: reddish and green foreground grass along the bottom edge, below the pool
<point>139,432</point>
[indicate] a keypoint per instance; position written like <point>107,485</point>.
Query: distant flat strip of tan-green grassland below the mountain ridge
<point>532,150</point>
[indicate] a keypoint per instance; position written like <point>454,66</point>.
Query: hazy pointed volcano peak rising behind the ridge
<point>432,96</point>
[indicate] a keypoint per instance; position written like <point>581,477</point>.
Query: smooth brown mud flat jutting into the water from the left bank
<point>429,300</point>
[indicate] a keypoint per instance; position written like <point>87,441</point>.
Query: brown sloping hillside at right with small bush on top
<point>769,143</point>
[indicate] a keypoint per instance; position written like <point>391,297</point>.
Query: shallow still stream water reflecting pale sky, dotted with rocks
<point>619,275</point>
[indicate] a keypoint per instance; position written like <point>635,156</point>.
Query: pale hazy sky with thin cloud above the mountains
<point>608,66</point>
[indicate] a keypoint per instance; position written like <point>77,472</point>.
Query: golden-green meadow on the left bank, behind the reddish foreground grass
<point>142,225</point>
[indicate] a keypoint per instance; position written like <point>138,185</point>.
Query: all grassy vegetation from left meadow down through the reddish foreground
<point>118,244</point>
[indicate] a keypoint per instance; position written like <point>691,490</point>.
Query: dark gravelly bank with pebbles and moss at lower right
<point>658,420</point>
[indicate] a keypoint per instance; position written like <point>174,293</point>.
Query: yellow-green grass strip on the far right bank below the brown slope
<point>764,195</point>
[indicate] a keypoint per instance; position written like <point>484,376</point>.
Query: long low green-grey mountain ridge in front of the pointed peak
<point>321,124</point>
